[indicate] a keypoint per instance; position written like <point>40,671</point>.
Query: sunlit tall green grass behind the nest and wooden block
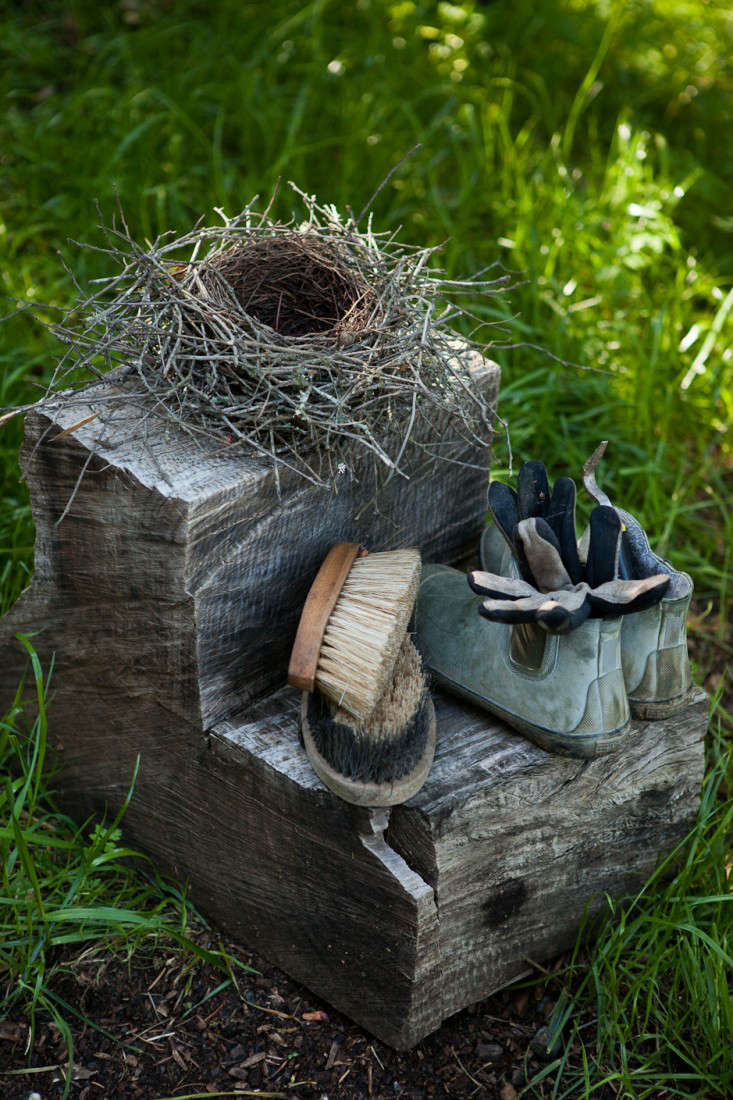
<point>563,140</point>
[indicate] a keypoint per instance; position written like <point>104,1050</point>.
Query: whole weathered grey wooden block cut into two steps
<point>170,596</point>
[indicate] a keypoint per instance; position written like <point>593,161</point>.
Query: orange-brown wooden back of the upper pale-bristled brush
<point>316,612</point>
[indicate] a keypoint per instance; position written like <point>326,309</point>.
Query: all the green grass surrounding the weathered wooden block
<point>586,146</point>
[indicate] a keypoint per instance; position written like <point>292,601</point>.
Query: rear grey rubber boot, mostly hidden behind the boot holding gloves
<point>653,642</point>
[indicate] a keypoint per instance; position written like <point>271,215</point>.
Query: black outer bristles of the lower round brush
<point>360,758</point>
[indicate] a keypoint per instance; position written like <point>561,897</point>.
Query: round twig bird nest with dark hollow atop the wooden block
<point>290,343</point>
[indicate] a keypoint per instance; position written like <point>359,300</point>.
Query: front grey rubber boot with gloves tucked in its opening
<point>565,692</point>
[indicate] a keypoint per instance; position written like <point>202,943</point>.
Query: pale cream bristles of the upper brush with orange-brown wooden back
<point>367,630</point>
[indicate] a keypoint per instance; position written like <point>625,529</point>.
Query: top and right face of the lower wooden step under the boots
<point>518,843</point>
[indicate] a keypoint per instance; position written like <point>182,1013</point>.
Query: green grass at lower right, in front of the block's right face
<point>648,1010</point>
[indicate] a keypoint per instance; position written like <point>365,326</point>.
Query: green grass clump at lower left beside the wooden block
<point>67,888</point>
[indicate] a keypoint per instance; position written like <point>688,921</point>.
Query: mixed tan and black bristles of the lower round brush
<point>393,742</point>
